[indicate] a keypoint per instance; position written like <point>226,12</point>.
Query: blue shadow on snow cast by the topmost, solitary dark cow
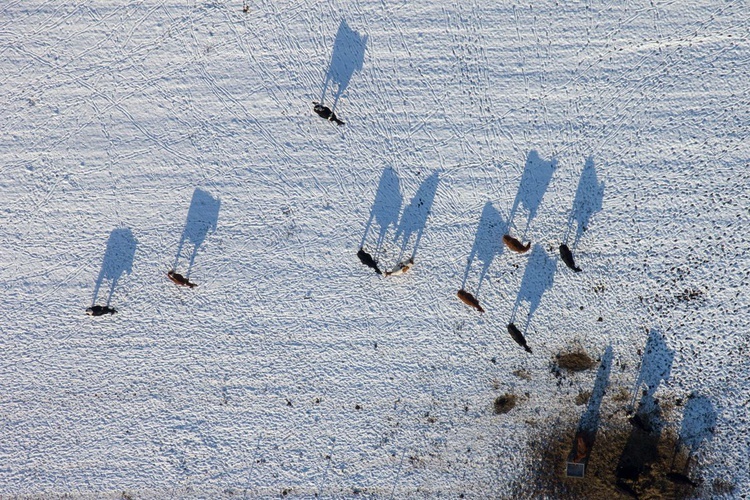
<point>348,56</point>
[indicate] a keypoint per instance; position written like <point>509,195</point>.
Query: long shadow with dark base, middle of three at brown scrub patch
<point>641,448</point>
